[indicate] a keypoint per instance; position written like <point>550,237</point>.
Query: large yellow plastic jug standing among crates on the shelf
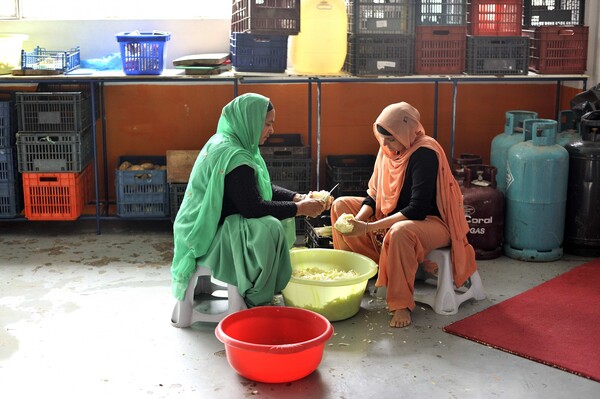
<point>321,45</point>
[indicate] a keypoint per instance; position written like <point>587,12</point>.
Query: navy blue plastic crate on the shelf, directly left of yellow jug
<point>258,53</point>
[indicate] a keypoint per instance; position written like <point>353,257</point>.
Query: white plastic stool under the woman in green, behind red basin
<point>212,293</point>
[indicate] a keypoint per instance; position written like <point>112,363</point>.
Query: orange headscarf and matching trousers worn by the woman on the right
<point>406,243</point>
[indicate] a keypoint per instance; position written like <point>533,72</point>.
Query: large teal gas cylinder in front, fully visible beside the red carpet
<point>536,194</point>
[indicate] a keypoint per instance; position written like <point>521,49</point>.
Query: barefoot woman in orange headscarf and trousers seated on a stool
<point>413,206</point>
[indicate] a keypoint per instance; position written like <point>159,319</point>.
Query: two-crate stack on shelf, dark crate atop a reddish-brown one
<point>441,35</point>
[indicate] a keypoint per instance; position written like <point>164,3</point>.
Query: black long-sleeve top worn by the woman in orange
<point>417,197</point>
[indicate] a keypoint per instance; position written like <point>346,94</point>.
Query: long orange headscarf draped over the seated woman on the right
<point>402,121</point>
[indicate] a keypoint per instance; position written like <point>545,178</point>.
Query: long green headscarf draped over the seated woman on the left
<point>234,144</point>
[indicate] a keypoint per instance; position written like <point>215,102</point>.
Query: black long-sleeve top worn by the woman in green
<point>241,196</point>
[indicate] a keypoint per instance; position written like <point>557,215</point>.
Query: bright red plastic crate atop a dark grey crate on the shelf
<point>495,17</point>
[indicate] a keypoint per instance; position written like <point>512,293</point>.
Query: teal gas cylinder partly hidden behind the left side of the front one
<point>513,134</point>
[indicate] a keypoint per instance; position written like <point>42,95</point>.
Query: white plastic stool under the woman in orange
<point>446,298</point>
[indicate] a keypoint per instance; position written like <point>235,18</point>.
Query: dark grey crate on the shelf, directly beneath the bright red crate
<point>497,55</point>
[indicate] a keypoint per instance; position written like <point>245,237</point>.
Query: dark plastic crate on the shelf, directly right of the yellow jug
<point>380,55</point>
